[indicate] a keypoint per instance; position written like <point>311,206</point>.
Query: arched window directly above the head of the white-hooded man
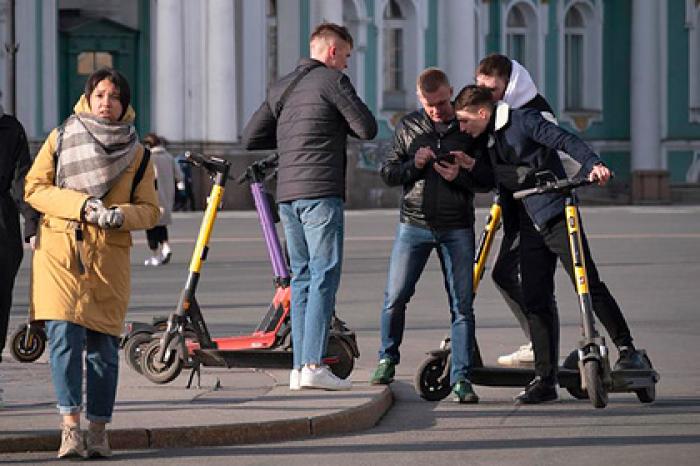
<point>521,36</point>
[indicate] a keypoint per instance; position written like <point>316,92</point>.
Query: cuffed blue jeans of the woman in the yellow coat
<point>66,344</point>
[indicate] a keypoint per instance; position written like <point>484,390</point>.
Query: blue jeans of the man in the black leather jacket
<point>410,253</point>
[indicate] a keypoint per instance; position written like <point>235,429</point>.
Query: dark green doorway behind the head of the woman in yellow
<point>89,46</point>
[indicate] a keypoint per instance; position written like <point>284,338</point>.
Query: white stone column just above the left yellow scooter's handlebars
<point>221,82</point>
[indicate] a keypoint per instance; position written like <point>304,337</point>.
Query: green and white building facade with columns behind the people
<point>623,74</point>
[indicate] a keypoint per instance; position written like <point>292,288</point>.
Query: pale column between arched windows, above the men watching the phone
<point>457,44</point>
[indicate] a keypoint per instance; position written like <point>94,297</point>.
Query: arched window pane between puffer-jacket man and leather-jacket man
<point>394,25</point>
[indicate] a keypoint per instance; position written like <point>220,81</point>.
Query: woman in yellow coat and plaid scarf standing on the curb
<point>82,181</point>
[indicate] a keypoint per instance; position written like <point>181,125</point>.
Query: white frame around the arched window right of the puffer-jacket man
<point>415,24</point>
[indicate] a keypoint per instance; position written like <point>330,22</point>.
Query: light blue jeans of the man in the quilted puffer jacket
<point>314,232</point>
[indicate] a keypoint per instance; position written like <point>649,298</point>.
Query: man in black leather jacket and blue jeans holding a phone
<point>437,213</point>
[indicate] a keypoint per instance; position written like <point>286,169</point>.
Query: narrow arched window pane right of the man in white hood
<point>574,33</point>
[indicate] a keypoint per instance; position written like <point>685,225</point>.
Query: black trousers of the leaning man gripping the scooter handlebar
<point>538,255</point>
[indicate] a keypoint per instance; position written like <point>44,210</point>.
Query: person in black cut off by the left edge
<point>14,163</point>
